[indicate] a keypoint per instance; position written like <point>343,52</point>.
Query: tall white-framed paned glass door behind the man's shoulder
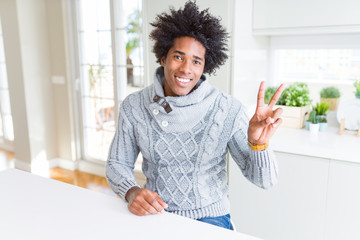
<point>110,67</point>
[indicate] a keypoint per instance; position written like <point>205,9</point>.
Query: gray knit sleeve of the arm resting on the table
<point>122,156</point>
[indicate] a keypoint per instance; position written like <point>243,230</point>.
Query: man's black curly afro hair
<point>190,22</point>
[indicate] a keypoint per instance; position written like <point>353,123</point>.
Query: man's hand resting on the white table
<point>144,202</point>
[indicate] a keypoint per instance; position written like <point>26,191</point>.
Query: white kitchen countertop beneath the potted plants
<point>327,144</point>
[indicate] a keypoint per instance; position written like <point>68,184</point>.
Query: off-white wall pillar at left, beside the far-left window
<point>27,52</point>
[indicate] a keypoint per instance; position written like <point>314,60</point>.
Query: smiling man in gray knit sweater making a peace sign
<point>184,127</point>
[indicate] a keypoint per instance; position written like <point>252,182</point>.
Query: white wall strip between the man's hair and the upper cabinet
<point>251,55</point>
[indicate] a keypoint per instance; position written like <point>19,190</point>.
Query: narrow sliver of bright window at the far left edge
<point>6,123</point>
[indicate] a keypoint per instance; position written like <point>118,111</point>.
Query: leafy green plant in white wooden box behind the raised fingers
<point>294,101</point>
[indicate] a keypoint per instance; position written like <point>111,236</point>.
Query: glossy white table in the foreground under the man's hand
<point>33,207</point>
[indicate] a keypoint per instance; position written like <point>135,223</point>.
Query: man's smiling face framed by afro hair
<point>183,66</point>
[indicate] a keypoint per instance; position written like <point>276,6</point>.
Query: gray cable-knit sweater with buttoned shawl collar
<point>184,151</point>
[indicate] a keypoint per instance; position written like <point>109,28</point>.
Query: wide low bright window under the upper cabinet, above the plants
<point>318,65</point>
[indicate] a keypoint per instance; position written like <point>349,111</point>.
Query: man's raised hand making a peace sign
<point>265,121</point>
